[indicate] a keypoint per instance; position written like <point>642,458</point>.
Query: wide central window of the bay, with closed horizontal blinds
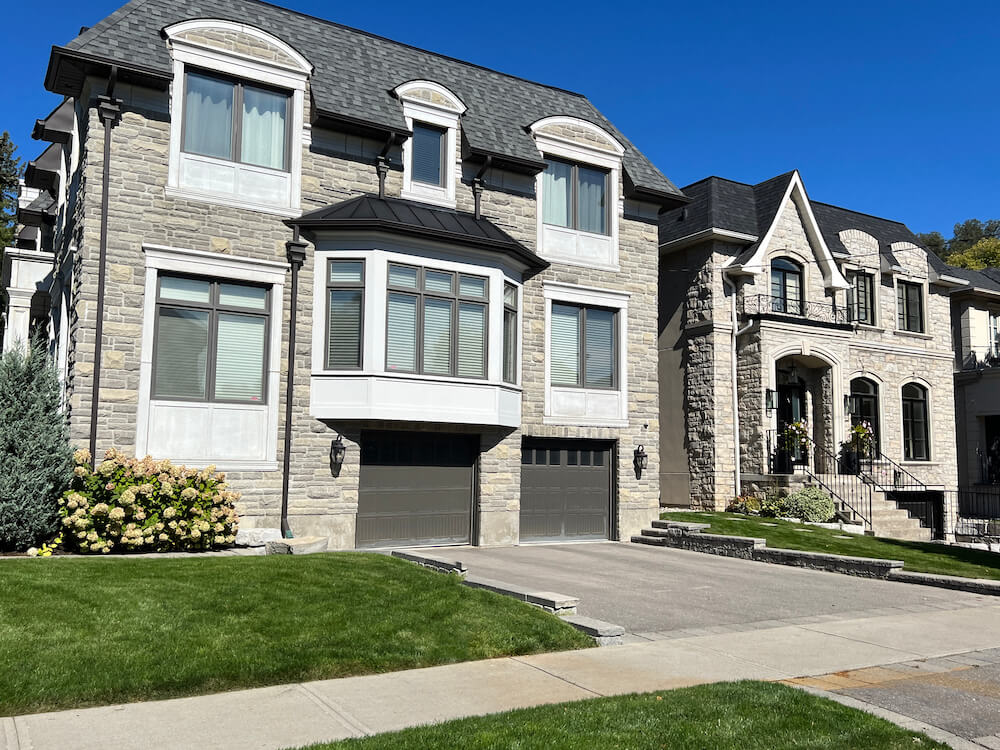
<point>436,322</point>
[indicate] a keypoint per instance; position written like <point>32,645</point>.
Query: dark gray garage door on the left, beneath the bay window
<point>415,488</point>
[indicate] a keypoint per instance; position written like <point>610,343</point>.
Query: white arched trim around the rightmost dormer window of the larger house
<point>579,153</point>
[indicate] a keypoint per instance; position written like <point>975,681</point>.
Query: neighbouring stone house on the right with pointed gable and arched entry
<point>785,322</point>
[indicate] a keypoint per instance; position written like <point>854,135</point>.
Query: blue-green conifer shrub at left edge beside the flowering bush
<point>35,459</point>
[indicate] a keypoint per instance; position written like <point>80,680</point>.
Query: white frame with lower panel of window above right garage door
<point>587,407</point>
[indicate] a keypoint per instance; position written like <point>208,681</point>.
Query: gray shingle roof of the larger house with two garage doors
<point>355,73</point>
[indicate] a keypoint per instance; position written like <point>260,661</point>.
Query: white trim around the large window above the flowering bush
<point>161,259</point>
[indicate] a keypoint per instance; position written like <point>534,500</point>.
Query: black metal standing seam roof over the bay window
<point>399,216</point>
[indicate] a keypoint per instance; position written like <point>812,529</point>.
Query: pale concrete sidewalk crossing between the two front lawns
<point>295,715</point>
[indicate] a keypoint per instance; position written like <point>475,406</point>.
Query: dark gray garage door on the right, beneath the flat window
<point>565,490</point>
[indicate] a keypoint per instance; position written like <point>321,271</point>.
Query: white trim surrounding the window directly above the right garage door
<point>557,292</point>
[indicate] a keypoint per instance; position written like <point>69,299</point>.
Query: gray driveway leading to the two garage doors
<point>657,593</point>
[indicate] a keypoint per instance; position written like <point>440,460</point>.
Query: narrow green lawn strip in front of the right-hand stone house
<point>919,557</point>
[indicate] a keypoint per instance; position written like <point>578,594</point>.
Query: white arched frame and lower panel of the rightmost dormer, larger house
<point>569,246</point>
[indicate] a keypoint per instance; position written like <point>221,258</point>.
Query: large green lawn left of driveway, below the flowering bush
<point>76,632</point>
